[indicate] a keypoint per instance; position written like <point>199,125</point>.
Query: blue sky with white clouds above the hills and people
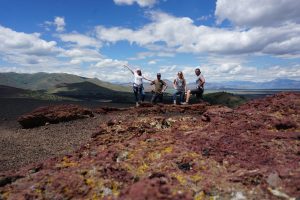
<point>229,40</point>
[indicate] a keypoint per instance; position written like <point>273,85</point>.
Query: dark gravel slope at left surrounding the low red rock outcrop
<point>19,147</point>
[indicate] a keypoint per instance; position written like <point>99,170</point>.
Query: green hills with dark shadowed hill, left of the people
<point>61,86</point>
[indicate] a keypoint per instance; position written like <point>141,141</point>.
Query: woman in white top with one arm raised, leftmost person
<point>138,88</point>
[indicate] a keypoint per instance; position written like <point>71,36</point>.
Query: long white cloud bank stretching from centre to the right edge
<point>174,34</point>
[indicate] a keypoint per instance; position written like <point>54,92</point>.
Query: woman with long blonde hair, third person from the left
<point>179,85</point>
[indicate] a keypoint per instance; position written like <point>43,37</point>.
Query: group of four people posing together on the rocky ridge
<point>160,86</point>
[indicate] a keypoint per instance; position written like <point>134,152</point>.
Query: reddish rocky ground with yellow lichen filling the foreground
<point>173,152</point>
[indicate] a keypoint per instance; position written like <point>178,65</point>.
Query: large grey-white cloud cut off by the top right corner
<point>258,13</point>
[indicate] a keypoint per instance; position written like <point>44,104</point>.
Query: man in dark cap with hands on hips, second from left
<point>159,88</point>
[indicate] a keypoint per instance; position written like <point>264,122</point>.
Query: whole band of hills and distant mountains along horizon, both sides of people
<point>57,82</point>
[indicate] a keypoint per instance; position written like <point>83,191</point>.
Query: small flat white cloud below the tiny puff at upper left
<point>80,40</point>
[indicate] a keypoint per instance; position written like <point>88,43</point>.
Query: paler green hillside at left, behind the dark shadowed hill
<point>46,81</point>
